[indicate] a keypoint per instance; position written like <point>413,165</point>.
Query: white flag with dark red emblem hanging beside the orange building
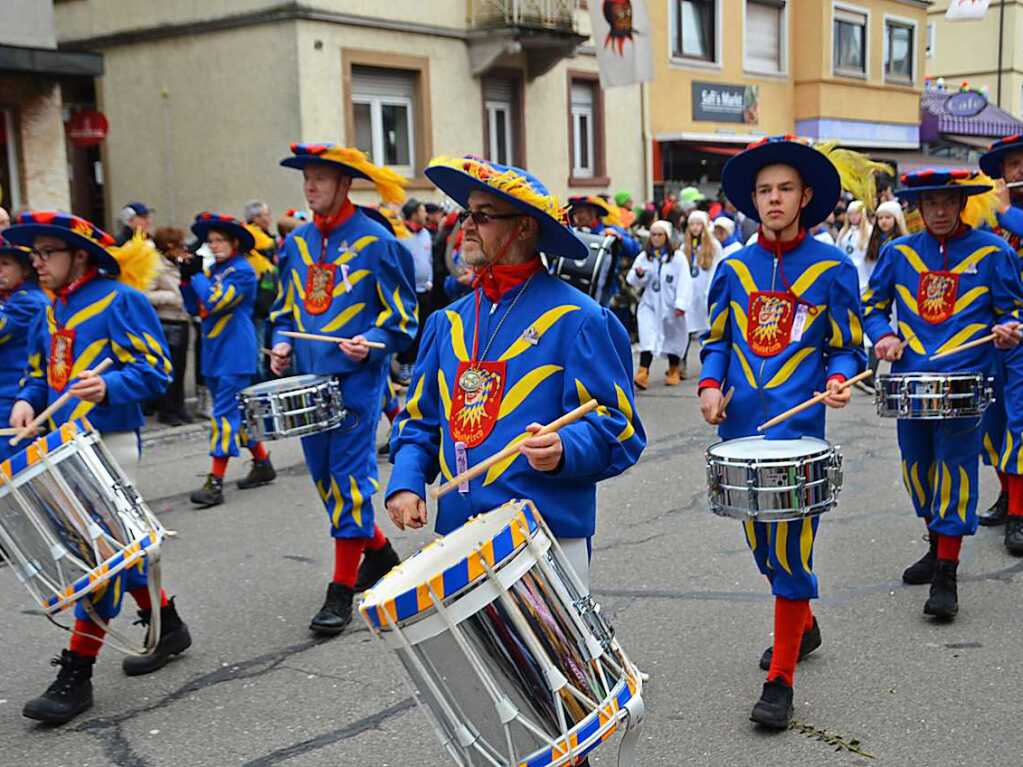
<point>622,38</point>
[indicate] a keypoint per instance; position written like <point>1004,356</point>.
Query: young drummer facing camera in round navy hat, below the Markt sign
<point>785,323</point>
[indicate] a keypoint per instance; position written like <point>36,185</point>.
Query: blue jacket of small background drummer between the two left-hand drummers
<point>224,297</point>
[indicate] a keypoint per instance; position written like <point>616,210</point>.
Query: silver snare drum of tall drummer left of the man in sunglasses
<point>296,407</point>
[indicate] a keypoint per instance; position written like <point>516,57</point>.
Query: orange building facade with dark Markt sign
<point>732,71</point>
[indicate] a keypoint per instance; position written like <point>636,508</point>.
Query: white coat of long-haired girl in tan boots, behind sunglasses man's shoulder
<point>666,287</point>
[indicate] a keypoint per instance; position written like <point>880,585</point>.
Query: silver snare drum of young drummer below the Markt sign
<point>774,480</point>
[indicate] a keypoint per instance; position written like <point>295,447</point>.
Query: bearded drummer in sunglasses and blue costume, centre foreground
<point>521,351</point>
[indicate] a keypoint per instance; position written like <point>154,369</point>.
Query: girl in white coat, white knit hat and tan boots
<point>661,273</point>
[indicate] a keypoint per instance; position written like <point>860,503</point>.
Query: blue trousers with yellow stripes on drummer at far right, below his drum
<point>941,471</point>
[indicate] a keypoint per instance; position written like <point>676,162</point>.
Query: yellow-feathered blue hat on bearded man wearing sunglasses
<point>459,177</point>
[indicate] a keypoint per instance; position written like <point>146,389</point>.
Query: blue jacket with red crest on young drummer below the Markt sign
<point>775,351</point>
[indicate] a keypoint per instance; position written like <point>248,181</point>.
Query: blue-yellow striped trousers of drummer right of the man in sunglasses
<point>784,554</point>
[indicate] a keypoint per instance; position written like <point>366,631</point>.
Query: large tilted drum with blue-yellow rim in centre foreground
<point>505,648</point>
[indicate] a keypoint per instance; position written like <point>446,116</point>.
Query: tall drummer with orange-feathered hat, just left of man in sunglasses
<point>345,275</point>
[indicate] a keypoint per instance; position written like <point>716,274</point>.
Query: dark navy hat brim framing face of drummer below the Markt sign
<point>740,175</point>
